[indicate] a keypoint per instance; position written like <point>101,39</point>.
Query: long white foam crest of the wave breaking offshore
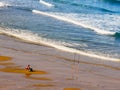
<point>74,22</point>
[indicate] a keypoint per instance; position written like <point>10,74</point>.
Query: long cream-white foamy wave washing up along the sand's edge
<point>31,37</point>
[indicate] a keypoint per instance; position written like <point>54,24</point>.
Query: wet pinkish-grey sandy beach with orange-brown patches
<point>53,69</point>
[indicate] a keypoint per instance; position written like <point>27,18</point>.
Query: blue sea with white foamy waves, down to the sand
<point>89,27</point>
